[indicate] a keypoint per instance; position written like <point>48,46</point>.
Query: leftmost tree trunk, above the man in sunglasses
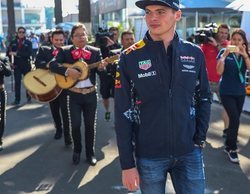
<point>11,19</point>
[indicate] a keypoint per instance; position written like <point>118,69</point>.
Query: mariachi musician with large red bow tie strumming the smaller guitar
<point>83,97</point>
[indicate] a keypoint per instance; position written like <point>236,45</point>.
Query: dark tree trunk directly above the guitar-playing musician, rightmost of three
<point>84,11</point>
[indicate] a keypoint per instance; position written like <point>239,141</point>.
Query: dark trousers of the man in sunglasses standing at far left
<point>18,72</point>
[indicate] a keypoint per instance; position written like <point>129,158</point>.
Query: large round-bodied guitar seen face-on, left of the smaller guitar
<point>41,85</point>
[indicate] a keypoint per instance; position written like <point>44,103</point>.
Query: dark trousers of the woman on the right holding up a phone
<point>233,106</point>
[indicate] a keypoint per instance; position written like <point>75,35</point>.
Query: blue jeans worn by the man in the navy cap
<point>187,174</point>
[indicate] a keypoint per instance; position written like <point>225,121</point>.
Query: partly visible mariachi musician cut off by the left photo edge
<point>5,70</point>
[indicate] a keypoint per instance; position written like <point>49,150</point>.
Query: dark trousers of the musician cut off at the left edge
<point>3,99</point>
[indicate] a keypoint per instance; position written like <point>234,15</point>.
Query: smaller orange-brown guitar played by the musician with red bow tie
<point>66,82</point>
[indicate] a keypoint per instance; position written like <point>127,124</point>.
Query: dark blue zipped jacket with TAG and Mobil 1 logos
<point>171,98</point>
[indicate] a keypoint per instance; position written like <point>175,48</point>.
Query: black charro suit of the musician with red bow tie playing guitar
<point>80,103</point>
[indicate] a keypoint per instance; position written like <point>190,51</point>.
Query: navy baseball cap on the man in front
<point>174,4</point>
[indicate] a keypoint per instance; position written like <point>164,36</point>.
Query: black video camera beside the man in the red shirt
<point>202,34</point>
